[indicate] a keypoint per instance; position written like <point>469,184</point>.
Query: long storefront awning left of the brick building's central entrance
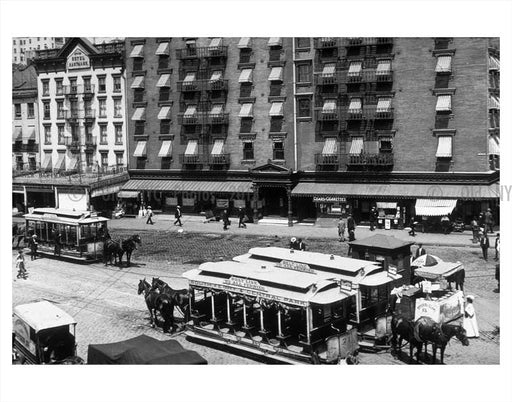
<point>192,186</point>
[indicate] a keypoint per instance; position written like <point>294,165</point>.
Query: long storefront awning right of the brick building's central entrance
<point>398,190</point>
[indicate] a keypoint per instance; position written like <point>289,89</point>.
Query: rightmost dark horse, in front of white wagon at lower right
<point>427,330</point>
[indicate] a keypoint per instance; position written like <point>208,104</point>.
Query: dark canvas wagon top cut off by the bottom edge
<point>142,350</point>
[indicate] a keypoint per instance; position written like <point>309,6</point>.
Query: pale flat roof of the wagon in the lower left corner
<point>43,315</point>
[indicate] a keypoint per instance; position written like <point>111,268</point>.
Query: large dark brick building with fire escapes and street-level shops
<point>315,127</point>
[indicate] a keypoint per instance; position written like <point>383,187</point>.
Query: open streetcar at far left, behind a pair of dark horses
<point>81,232</point>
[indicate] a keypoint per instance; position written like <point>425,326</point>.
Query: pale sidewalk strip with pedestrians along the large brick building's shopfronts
<point>195,224</point>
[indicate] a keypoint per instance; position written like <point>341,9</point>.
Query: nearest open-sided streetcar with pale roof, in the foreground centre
<point>284,313</point>
